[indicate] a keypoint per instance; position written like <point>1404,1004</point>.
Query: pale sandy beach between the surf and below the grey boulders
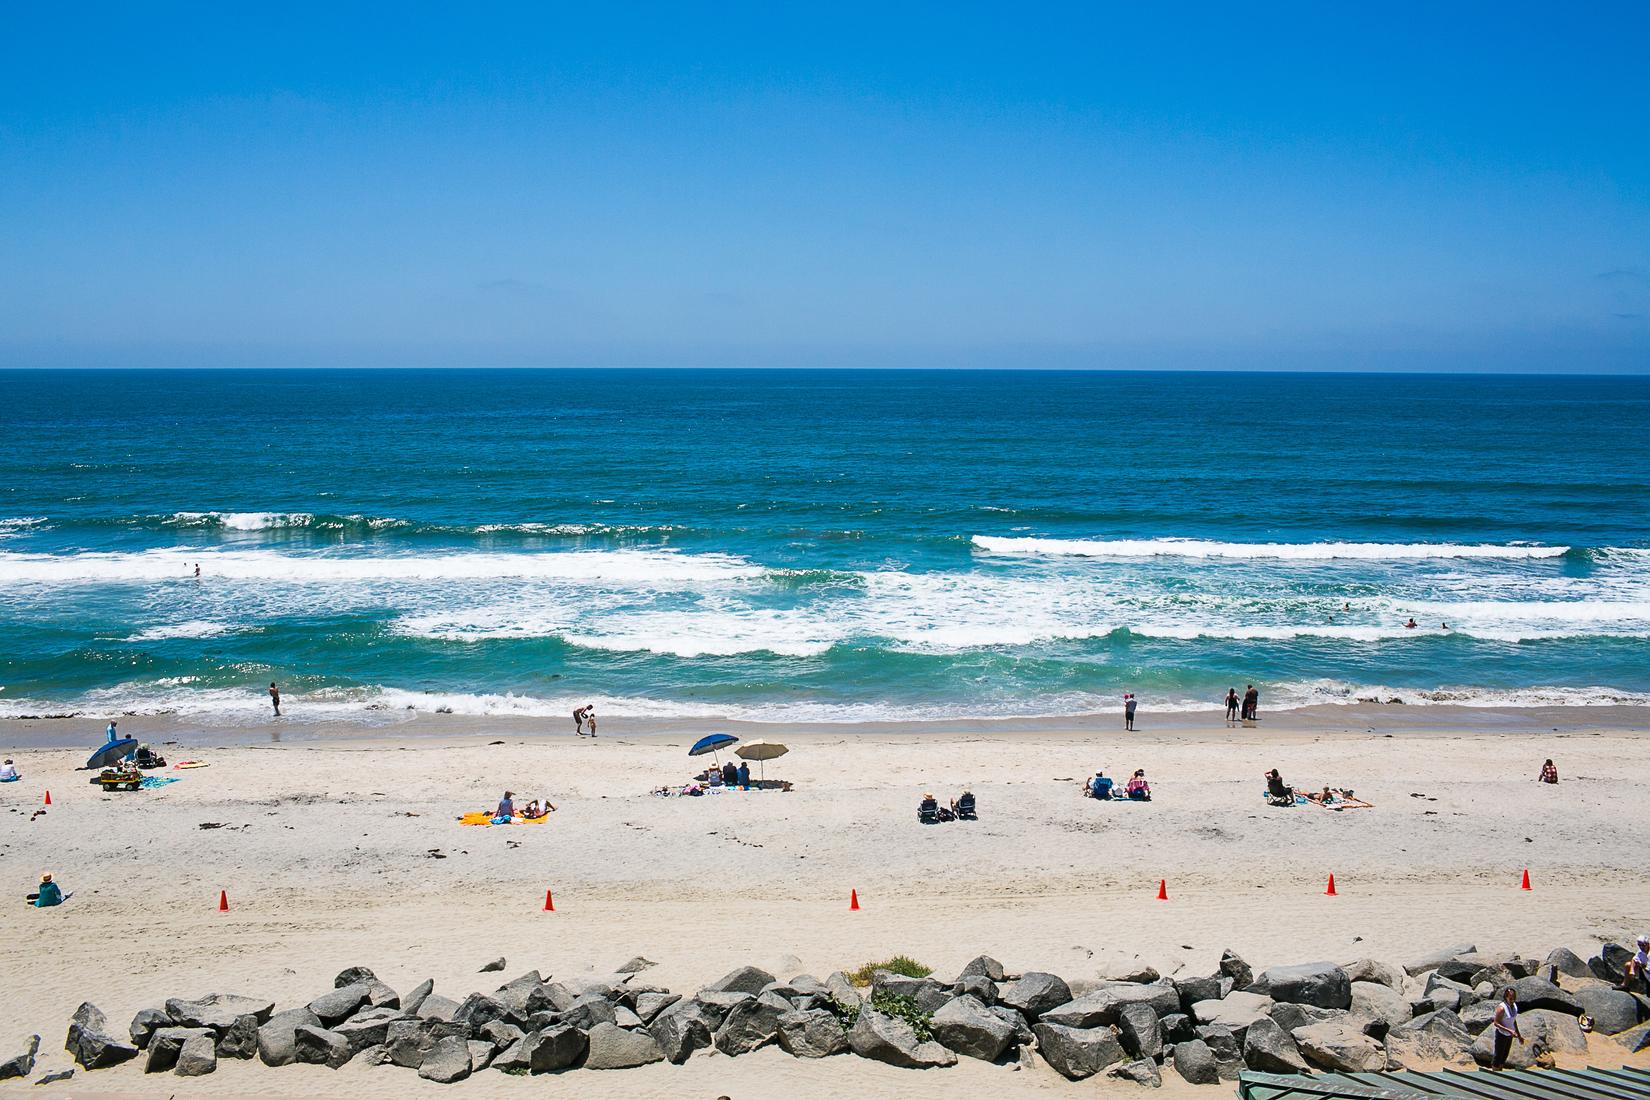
<point>339,847</point>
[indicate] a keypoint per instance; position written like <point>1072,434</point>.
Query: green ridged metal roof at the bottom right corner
<point>1547,1084</point>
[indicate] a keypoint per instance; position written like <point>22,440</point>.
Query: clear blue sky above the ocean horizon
<point>1227,186</point>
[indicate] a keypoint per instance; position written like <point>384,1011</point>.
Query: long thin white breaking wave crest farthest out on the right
<point>1291,552</point>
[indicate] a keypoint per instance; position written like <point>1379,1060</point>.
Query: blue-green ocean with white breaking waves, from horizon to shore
<point>818,545</point>
